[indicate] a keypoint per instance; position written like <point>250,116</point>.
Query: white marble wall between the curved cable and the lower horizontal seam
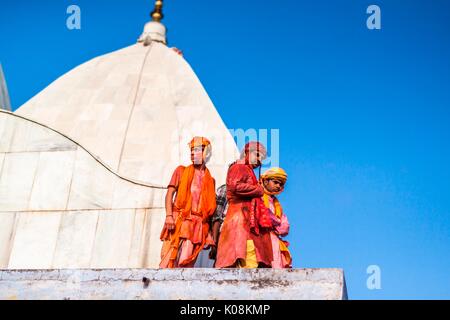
<point>63,176</point>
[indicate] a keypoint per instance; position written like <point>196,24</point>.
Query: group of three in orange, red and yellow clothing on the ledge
<point>243,224</point>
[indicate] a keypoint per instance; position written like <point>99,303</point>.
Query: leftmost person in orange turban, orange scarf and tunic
<point>186,228</point>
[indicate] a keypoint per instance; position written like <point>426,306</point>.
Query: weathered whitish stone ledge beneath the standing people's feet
<point>177,284</point>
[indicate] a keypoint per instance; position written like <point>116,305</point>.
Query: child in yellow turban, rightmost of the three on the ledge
<point>273,181</point>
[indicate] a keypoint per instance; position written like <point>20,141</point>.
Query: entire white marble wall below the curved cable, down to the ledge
<point>61,208</point>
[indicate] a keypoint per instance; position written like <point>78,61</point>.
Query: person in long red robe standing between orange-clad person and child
<point>239,246</point>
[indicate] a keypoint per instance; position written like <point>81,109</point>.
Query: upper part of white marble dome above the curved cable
<point>135,109</point>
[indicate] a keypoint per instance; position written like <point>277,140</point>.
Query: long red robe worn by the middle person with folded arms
<point>242,187</point>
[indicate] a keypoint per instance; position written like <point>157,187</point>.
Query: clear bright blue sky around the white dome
<point>363,115</point>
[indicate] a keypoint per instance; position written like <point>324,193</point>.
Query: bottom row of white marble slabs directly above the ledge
<point>81,239</point>
